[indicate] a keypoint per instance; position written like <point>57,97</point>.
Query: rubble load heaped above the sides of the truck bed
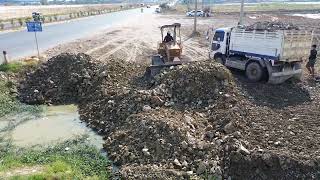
<point>271,26</point>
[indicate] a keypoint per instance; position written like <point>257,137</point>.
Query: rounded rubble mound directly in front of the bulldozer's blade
<point>196,84</point>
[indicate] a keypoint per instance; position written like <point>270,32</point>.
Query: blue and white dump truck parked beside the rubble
<point>275,55</point>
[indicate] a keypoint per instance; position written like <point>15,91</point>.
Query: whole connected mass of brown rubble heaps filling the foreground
<point>192,121</point>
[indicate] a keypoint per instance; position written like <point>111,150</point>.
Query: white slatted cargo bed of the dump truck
<point>281,45</point>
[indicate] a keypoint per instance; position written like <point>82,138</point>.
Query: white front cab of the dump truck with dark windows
<point>219,44</point>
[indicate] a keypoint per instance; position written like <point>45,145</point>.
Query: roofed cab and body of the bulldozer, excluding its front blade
<point>170,50</point>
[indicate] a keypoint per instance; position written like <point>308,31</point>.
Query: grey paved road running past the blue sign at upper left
<point>22,43</point>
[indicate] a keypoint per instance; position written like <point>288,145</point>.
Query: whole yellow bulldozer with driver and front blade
<point>169,50</point>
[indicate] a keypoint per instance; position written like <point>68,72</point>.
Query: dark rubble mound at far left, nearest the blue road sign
<point>63,79</point>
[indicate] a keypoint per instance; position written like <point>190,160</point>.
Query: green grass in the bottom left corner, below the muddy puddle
<point>81,161</point>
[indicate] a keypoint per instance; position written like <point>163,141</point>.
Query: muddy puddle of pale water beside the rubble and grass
<point>56,124</point>
